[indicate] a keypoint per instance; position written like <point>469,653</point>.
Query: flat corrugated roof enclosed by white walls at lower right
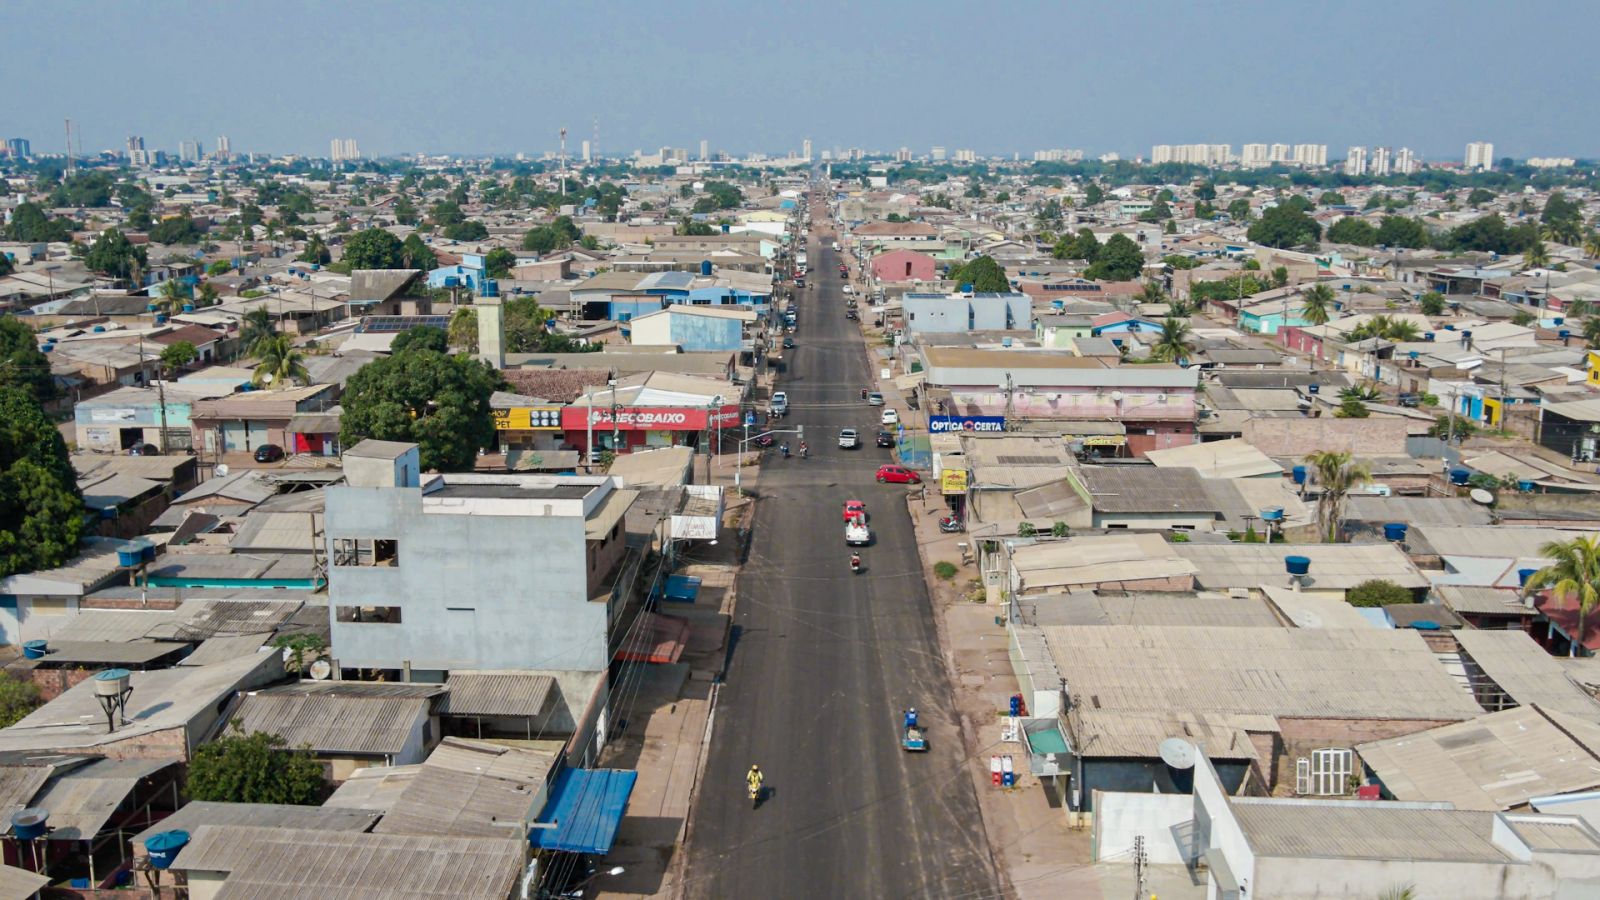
<point>1366,832</point>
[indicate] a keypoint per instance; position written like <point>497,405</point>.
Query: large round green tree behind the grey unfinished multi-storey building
<point>439,403</point>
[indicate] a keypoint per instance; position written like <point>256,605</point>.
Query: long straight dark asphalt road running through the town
<point>825,662</point>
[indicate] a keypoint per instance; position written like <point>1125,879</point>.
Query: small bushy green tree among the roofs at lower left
<point>254,769</point>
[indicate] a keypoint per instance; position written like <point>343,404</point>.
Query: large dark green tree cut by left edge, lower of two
<point>41,507</point>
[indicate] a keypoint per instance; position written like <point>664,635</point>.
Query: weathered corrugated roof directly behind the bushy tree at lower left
<point>334,723</point>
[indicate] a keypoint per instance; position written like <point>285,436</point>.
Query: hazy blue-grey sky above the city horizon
<point>996,76</point>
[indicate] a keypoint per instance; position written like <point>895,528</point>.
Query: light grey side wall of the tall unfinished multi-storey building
<point>476,592</point>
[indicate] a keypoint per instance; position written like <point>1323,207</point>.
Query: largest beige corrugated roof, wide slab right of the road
<point>1271,672</point>
